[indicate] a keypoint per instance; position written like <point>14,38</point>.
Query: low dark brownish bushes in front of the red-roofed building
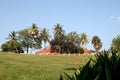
<point>65,47</point>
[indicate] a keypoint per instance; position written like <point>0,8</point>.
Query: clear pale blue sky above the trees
<point>94,17</point>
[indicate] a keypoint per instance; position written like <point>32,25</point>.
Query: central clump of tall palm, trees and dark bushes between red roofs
<point>69,43</point>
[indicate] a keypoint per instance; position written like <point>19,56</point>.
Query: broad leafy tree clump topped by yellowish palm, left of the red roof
<point>30,38</point>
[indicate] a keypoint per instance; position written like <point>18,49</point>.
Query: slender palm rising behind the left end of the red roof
<point>45,36</point>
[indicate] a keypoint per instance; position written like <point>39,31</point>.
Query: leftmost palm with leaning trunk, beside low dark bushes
<point>13,38</point>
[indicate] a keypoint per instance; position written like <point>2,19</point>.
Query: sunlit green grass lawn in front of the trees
<point>36,67</point>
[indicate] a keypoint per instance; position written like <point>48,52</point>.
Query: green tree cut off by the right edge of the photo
<point>115,46</point>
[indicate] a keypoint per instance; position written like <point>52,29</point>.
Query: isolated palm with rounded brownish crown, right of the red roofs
<point>97,44</point>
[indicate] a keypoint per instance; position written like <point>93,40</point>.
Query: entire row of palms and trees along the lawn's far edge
<point>32,37</point>
